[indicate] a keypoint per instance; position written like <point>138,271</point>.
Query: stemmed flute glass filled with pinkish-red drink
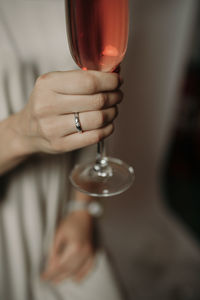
<point>98,35</point>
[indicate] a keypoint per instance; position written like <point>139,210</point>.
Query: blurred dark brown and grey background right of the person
<point>153,230</point>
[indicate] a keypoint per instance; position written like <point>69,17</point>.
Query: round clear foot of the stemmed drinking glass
<point>116,179</point>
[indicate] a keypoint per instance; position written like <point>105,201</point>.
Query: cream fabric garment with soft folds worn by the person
<point>32,42</point>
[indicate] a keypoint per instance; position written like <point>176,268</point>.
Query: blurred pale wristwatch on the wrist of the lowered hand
<point>94,208</point>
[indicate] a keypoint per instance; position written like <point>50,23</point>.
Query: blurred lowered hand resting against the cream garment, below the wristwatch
<point>72,253</point>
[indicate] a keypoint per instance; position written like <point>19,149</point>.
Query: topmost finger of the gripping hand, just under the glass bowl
<point>80,82</point>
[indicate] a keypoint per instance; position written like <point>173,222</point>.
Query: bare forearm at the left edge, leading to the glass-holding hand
<point>13,149</point>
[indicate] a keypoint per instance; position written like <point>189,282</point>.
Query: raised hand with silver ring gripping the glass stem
<point>47,122</point>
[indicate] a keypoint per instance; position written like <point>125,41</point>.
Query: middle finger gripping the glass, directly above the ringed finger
<point>64,104</point>
